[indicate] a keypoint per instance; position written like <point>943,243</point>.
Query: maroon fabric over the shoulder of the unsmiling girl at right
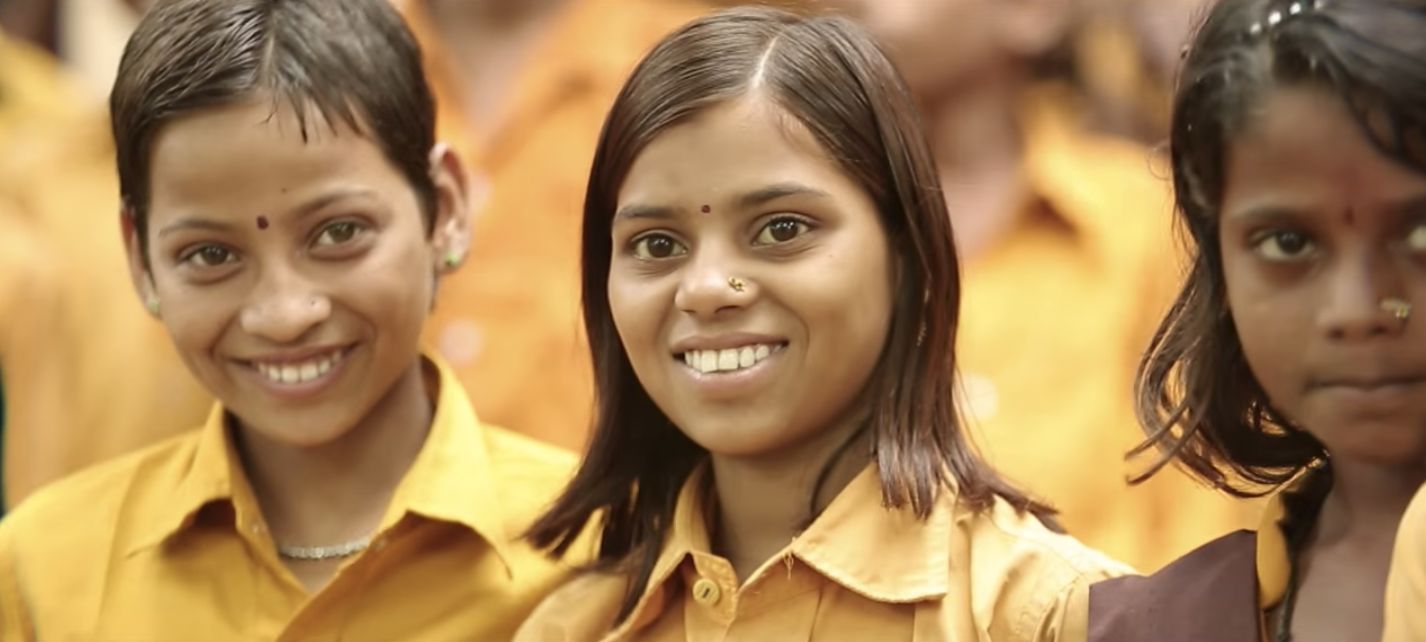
<point>1211,594</point>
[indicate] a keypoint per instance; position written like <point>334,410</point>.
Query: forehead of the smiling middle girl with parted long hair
<point>727,151</point>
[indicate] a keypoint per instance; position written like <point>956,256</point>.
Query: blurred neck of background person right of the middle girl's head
<point>979,148</point>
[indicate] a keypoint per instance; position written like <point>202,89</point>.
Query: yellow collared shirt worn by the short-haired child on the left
<point>168,544</point>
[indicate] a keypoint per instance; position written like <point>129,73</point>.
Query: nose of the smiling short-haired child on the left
<point>284,307</point>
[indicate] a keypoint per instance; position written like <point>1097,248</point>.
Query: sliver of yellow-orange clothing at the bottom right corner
<point>1407,584</point>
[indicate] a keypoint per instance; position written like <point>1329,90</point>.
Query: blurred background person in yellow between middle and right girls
<point>1069,260</point>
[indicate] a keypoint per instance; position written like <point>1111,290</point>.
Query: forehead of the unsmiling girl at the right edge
<point>1304,145</point>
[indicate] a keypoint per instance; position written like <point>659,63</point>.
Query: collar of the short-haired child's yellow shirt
<point>451,480</point>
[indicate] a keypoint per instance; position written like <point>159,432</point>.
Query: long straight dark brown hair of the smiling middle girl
<point>829,76</point>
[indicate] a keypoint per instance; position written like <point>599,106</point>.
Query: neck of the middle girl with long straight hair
<point>765,501</point>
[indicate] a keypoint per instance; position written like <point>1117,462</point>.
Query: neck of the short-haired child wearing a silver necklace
<point>339,491</point>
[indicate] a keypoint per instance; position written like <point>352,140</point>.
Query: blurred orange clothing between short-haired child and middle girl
<point>510,322</point>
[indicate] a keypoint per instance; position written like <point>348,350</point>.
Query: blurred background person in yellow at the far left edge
<point>78,353</point>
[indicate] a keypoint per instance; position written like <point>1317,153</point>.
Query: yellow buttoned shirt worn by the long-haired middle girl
<point>861,573</point>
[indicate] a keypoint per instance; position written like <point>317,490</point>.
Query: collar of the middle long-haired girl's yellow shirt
<point>881,553</point>
